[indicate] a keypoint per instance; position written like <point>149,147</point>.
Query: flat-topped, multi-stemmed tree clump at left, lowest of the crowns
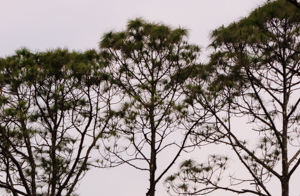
<point>50,119</point>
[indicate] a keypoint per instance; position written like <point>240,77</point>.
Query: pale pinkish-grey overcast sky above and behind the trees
<point>78,25</point>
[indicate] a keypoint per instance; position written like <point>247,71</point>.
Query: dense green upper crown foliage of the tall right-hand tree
<point>263,36</point>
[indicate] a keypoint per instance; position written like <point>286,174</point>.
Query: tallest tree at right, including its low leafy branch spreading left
<point>254,75</point>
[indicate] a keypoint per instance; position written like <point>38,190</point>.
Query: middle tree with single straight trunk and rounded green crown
<point>148,63</point>
